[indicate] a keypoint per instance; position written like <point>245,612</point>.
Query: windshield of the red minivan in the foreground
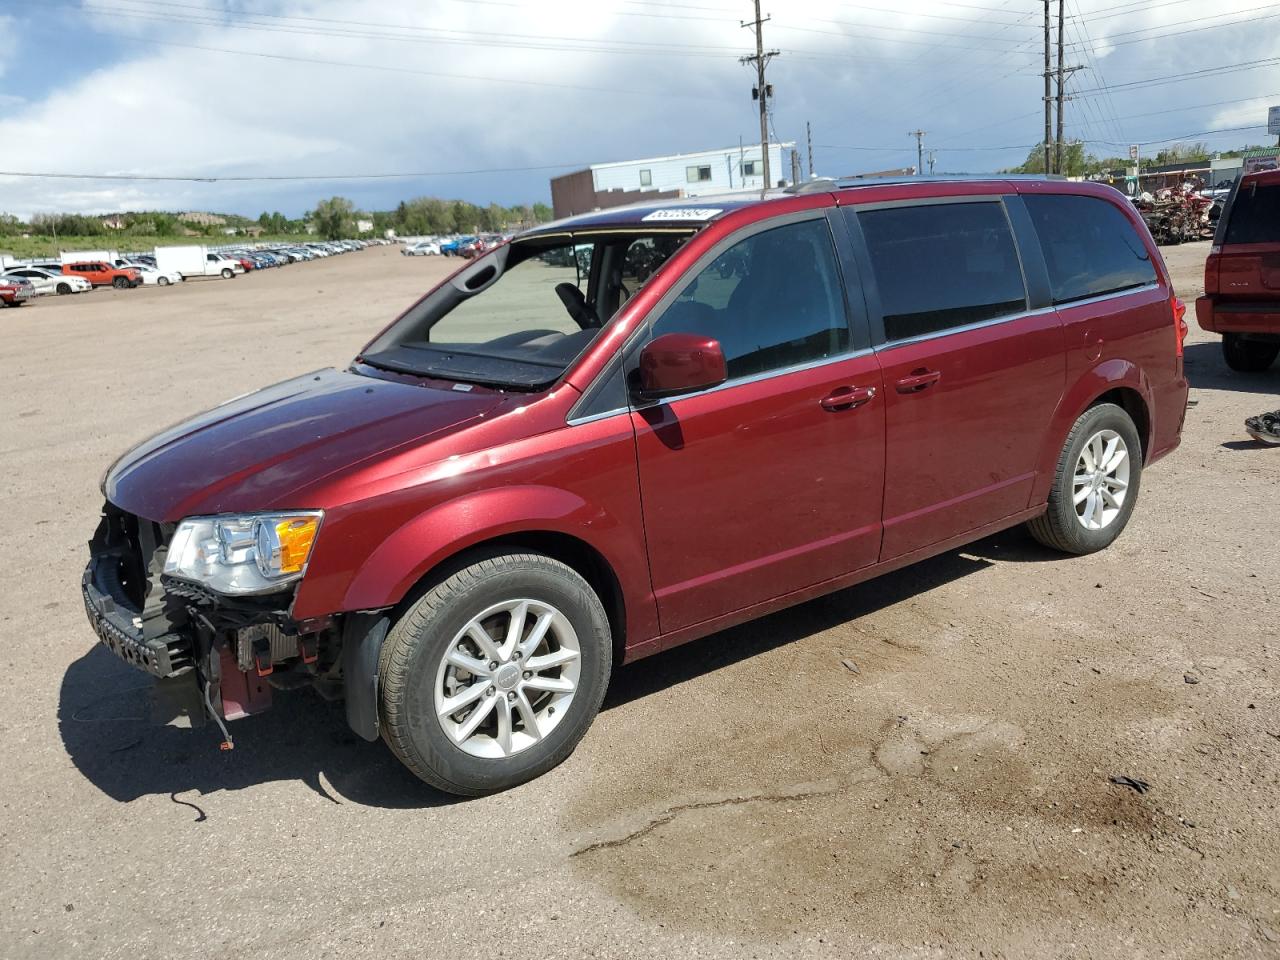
<point>523,314</point>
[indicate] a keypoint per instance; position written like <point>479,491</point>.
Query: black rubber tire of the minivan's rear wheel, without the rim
<point>1060,528</point>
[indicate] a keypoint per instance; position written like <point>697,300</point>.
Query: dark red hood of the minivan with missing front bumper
<point>253,452</point>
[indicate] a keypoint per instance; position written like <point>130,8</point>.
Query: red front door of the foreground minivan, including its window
<point>774,481</point>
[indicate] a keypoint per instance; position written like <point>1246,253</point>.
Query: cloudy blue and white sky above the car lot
<point>487,99</point>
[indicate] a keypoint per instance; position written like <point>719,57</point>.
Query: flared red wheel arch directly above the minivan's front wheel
<point>450,528</point>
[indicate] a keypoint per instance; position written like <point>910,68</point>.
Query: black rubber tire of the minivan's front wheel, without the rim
<point>424,636</point>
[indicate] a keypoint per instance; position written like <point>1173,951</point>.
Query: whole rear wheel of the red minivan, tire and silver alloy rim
<point>1096,483</point>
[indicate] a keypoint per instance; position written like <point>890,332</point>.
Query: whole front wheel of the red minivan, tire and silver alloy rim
<point>495,674</point>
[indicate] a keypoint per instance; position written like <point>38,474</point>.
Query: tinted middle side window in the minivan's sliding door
<point>943,266</point>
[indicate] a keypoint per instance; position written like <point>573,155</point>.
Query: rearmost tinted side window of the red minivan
<point>1090,248</point>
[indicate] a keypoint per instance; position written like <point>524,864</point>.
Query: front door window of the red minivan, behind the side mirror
<point>772,300</point>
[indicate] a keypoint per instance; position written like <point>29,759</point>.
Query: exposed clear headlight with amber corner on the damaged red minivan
<point>255,554</point>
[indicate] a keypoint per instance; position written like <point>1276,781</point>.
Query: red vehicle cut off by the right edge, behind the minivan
<point>1242,275</point>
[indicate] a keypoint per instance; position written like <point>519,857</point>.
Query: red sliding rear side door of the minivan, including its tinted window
<point>972,377</point>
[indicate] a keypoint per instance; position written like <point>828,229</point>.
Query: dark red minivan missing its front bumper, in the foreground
<point>632,429</point>
